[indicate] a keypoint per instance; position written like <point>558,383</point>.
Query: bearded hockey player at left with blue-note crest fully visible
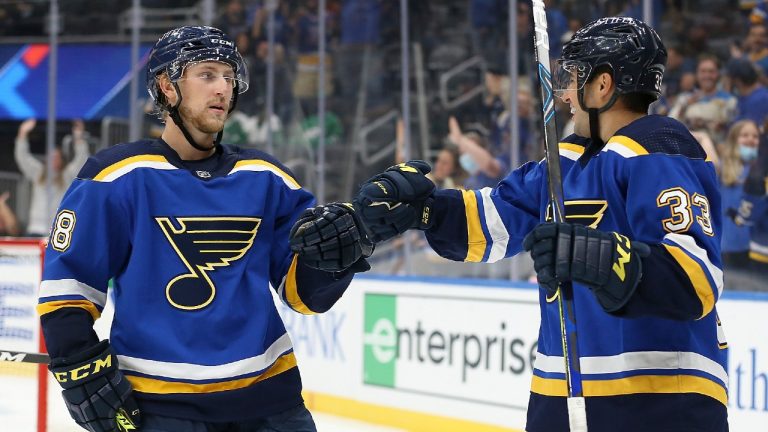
<point>192,232</point>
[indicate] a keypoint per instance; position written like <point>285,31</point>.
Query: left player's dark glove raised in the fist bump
<point>330,238</point>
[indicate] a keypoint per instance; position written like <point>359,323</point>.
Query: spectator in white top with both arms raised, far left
<point>42,205</point>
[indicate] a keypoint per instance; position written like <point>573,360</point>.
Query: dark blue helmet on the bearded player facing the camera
<point>192,44</point>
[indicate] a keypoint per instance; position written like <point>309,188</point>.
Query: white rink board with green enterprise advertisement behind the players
<point>465,354</point>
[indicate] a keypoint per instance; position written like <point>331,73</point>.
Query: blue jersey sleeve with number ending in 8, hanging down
<point>89,243</point>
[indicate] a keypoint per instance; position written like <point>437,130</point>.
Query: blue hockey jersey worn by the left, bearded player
<point>192,247</point>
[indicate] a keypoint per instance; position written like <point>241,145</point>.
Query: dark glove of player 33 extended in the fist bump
<point>396,200</point>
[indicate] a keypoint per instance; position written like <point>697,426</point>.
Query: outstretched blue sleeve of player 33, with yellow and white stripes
<point>489,224</point>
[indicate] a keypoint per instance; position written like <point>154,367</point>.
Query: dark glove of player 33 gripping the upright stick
<point>607,262</point>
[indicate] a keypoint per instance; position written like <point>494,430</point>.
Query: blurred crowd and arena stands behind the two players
<point>341,89</point>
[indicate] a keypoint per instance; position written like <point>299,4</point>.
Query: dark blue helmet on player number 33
<point>631,48</point>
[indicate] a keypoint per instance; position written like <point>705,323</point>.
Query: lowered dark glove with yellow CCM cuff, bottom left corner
<point>96,393</point>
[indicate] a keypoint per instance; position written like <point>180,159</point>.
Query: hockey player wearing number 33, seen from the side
<point>641,243</point>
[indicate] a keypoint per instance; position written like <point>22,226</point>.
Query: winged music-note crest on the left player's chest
<point>202,244</point>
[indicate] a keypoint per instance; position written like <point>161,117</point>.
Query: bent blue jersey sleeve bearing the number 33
<point>673,204</point>
